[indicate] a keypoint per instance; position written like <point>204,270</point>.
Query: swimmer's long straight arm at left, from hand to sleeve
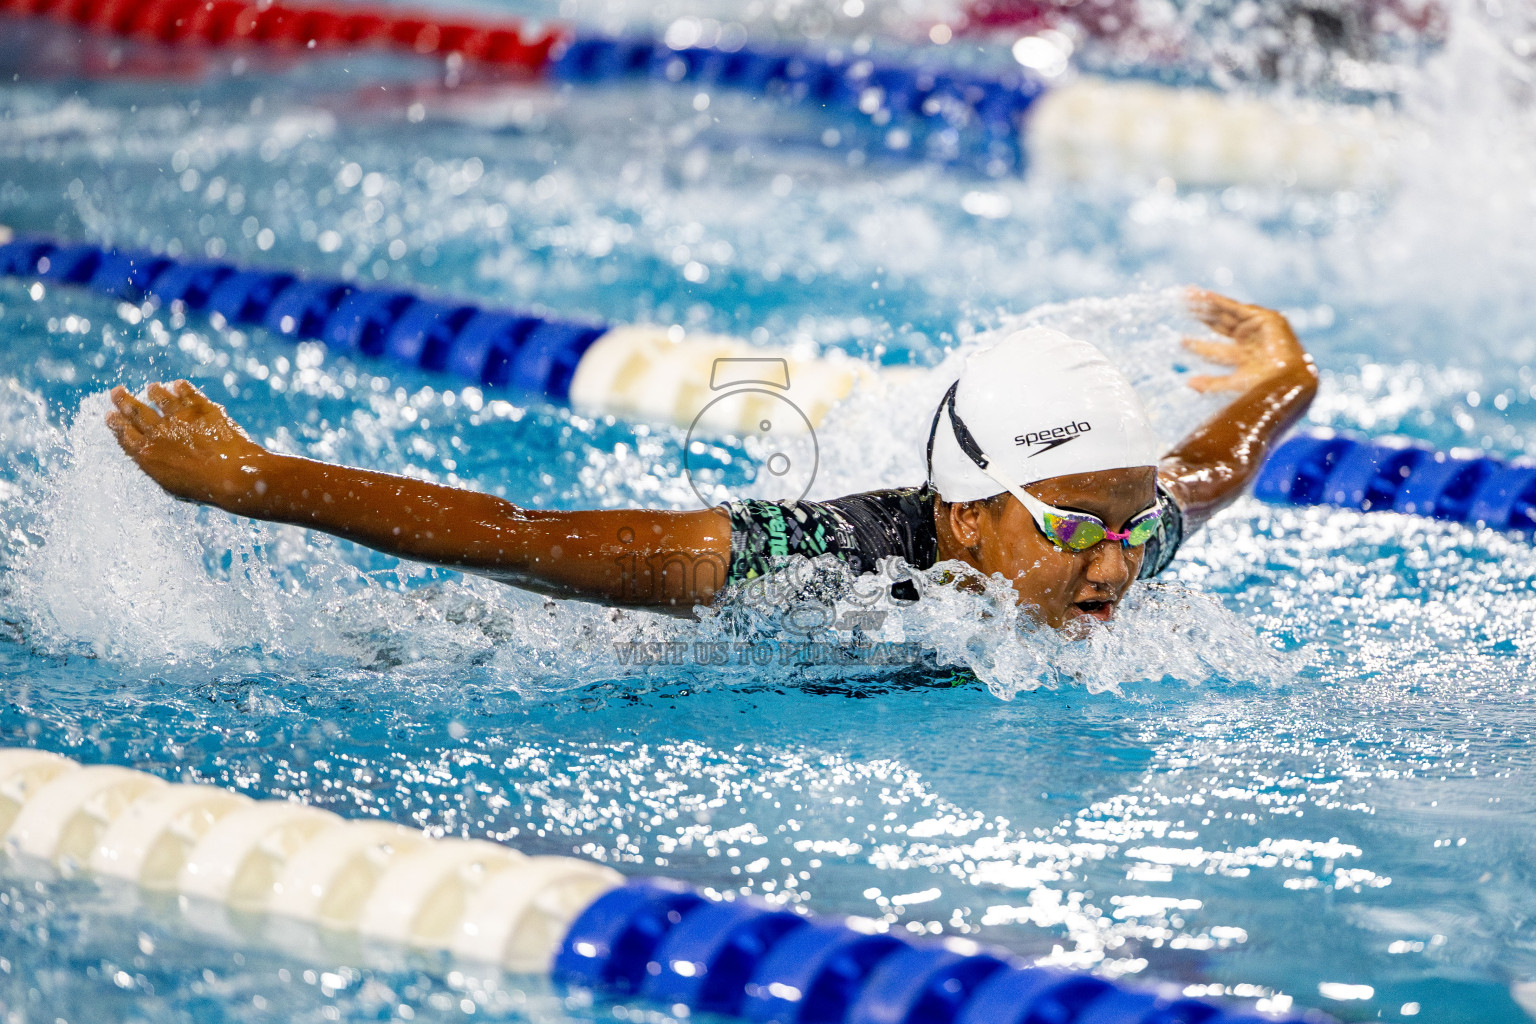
<point>658,560</point>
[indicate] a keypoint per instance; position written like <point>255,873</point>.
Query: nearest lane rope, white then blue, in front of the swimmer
<point>283,862</point>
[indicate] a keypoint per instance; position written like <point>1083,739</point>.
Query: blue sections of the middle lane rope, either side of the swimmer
<point>540,355</point>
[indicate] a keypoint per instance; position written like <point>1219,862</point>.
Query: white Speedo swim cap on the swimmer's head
<point>1036,406</point>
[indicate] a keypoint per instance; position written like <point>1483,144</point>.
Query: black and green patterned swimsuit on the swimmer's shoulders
<point>861,530</point>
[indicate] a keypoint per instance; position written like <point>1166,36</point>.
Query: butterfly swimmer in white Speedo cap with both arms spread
<point>1042,466</point>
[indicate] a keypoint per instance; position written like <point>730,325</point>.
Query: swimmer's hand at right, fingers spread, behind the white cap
<point>1263,346</point>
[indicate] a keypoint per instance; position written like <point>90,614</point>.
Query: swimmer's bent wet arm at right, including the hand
<point>1274,380</point>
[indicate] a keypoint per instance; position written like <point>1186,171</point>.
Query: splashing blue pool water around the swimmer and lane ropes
<point>1297,771</point>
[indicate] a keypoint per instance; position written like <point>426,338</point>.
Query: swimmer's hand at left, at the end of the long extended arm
<point>187,443</point>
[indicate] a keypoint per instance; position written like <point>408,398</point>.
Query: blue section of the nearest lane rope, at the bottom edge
<point>663,942</point>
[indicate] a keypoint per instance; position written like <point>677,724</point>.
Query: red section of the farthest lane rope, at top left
<point>509,45</point>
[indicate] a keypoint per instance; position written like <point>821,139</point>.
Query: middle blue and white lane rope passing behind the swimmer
<point>666,375</point>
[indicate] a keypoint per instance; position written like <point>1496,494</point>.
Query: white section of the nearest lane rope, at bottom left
<point>276,857</point>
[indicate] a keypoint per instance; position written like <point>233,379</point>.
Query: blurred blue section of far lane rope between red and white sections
<point>942,114</point>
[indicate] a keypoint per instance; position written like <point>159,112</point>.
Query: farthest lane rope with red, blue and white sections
<point>993,121</point>
